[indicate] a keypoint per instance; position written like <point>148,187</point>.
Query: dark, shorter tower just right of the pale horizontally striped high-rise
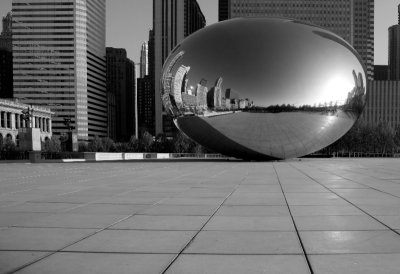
<point>121,94</point>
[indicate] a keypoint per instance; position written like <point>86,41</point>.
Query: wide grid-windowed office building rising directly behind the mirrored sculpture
<point>353,20</point>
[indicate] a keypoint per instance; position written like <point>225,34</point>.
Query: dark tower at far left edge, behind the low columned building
<point>6,76</point>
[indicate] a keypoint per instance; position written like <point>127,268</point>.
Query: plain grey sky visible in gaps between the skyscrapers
<point>129,21</point>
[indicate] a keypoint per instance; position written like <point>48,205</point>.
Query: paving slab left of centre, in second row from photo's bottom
<point>134,241</point>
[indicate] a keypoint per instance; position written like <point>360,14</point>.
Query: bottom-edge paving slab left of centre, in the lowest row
<point>101,263</point>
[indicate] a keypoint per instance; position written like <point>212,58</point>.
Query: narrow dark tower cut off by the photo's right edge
<point>394,51</point>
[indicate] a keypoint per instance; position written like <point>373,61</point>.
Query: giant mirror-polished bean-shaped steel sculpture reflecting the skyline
<point>264,88</point>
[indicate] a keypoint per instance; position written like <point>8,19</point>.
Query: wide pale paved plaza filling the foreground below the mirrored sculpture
<point>308,216</point>
